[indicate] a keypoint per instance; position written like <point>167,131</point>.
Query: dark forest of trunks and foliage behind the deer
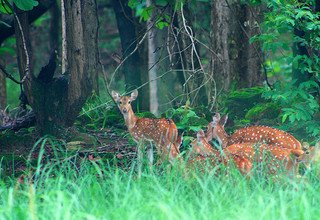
<point>258,61</point>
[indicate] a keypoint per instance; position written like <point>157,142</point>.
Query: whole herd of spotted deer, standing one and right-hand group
<point>246,146</point>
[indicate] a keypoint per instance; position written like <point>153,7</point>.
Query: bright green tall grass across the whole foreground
<point>97,190</point>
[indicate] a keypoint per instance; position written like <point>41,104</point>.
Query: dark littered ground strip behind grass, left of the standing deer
<point>17,149</point>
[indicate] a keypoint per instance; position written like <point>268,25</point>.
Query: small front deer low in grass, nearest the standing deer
<point>203,152</point>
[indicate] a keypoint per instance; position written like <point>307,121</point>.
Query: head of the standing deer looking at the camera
<point>124,102</point>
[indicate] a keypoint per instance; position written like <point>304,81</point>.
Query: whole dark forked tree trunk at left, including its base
<point>58,100</point>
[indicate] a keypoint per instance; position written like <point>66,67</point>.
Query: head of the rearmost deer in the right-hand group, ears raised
<point>215,128</point>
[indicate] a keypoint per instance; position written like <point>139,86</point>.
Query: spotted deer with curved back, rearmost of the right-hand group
<point>253,134</point>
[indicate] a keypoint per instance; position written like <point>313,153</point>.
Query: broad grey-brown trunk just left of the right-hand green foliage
<point>233,24</point>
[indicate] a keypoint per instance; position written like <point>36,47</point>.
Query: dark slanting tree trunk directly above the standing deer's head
<point>132,66</point>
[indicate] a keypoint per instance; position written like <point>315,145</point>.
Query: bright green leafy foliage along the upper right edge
<point>289,24</point>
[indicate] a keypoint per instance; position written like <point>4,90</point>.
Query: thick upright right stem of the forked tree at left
<point>82,53</point>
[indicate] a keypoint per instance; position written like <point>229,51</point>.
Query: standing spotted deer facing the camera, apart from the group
<point>162,132</point>
